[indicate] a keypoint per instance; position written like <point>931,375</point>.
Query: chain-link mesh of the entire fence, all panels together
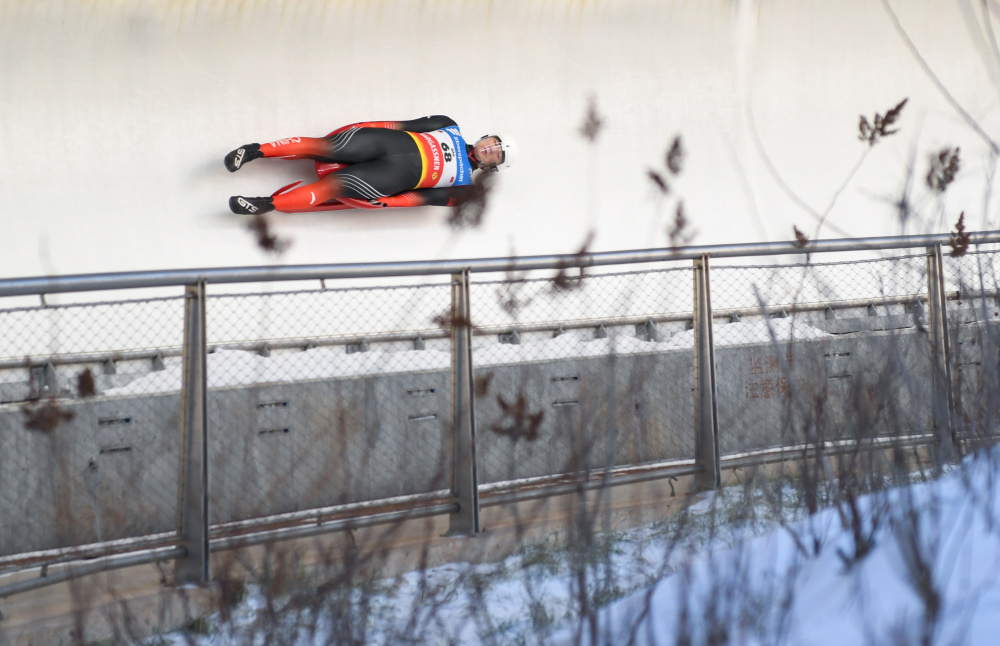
<point>323,399</point>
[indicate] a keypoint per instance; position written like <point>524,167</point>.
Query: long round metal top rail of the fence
<point>222,275</point>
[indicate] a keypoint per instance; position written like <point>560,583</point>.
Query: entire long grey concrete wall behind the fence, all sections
<point>110,468</point>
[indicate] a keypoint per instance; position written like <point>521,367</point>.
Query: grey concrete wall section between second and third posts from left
<point>558,417</point>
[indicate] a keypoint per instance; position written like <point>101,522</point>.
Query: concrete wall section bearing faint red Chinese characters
<point>864,385</point>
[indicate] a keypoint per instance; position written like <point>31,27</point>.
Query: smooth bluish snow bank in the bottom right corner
<point>768,591</point>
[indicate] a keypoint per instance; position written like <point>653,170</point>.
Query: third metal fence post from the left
<point>706,410</point>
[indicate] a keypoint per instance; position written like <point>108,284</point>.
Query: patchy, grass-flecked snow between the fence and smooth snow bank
<point>518,600</point>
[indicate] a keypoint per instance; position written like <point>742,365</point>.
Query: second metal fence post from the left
<point>465,481</point>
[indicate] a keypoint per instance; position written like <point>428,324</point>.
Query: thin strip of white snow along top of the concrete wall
<point>228,368</point>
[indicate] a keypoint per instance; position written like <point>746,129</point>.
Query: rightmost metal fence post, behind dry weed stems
<point>941,399</point>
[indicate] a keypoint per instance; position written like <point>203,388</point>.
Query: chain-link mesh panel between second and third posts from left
<point>581,373</point>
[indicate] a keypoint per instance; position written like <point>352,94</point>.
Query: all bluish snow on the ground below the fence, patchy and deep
<point>744,581</point>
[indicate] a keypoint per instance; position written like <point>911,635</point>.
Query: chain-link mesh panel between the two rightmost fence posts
<point>820,351</point>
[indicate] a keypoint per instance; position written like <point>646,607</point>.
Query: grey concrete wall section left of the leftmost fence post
<point>109,470</point>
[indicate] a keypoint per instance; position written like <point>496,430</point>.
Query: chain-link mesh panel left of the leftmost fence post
<point>80,463</point>
